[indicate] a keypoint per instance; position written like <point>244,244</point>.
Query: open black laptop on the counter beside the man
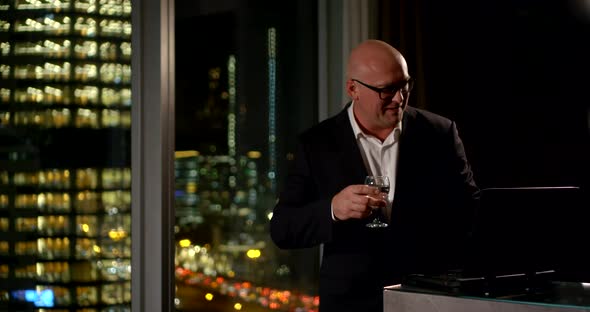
<point>523,236</point>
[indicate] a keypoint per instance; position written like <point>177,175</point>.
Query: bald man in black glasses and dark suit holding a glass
<point>324,201</point>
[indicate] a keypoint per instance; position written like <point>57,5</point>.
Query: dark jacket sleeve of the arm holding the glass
<point>301,218</point>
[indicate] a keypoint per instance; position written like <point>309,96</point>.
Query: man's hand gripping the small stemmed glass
<point>355,202</point>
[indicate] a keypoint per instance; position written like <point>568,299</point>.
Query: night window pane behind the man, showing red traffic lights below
<point>246,84</point>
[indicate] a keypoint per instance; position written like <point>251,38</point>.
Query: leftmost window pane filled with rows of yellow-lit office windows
<point>65,176</point>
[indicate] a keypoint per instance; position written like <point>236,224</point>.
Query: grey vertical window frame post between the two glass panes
<point>152,156</point>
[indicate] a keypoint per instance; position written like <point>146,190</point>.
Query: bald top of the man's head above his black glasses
<point>374,58</point>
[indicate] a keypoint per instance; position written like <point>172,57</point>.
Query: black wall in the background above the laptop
<point>514,74</point>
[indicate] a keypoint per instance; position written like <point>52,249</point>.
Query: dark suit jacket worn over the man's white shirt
<point>431,211</point>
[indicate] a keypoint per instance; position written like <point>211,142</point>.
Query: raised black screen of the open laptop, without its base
<point>530,229</point>
